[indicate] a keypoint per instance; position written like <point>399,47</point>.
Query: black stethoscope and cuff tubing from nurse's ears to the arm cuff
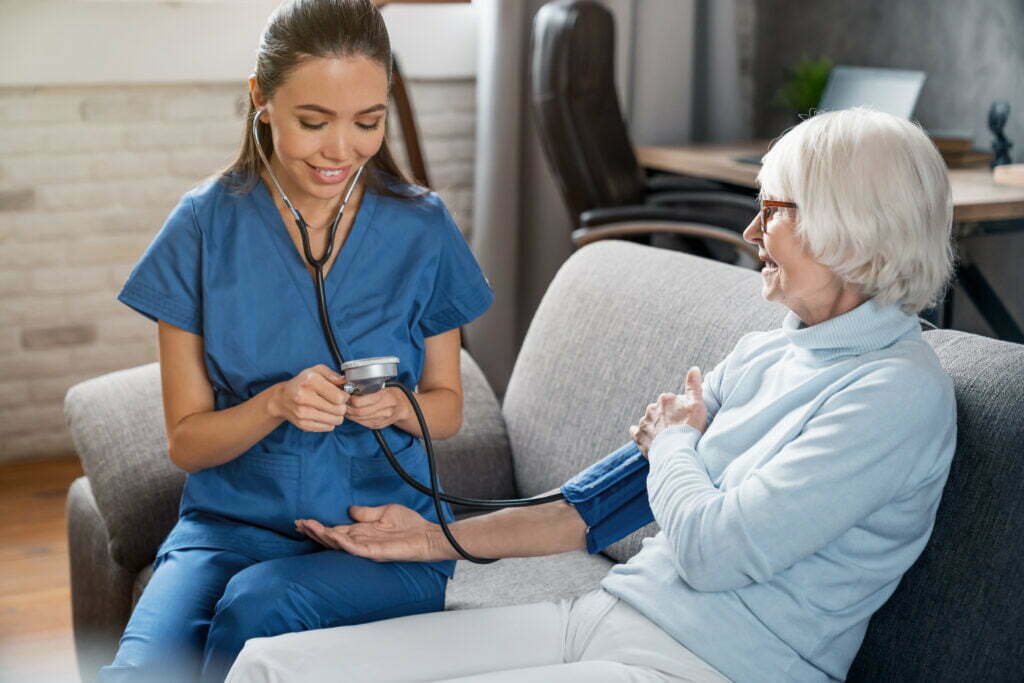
<point>318,266</point>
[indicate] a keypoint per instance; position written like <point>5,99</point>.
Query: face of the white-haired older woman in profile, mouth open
<point>792,277</point>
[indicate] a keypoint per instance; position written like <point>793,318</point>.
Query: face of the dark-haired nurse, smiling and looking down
<point>327,120</point>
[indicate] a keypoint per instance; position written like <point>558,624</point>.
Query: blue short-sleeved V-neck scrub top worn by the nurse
<point>225,268</point>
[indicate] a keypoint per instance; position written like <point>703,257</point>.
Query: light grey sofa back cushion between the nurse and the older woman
<point>619,325</point>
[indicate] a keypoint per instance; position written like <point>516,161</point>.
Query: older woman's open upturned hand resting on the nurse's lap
<point>386,534</point>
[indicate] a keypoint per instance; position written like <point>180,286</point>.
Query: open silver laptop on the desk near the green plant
<point>891,91</point>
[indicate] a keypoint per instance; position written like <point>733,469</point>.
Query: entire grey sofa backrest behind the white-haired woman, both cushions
<point>622,324</point>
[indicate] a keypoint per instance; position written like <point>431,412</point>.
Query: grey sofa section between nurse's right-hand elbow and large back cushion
<point>478,461</point>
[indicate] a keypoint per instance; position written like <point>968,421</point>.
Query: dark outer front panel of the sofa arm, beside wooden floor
<point>101,589</point>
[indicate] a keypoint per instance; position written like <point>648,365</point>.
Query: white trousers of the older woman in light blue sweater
<point>594,638</point>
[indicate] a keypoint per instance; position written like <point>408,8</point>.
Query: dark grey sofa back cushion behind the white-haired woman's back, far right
<point>959,612</point>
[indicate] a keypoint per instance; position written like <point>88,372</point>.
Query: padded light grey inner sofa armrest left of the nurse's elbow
<point>117,424</point>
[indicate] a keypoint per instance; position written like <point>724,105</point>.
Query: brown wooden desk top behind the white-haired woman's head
<point>976,198</point>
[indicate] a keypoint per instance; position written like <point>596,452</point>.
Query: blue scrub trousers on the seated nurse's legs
<point>202,606</point>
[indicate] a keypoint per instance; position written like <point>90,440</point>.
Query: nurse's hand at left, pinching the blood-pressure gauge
<point>313,401</point>
